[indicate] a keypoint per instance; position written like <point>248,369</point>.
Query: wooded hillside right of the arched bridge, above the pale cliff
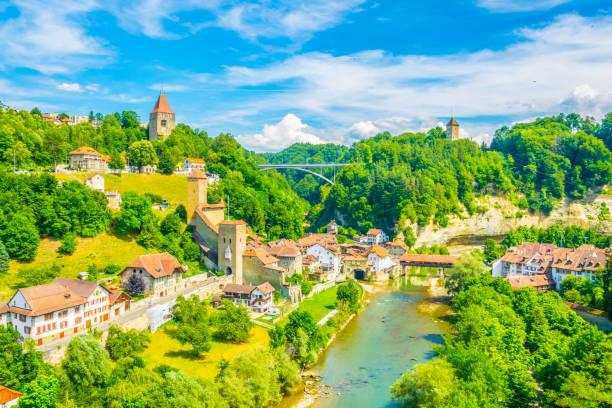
<point>425,178</point>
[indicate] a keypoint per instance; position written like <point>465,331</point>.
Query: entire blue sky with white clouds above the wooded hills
<point>277,72</point>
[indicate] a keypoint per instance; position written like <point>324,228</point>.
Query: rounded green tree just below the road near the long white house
<point>87,363</point>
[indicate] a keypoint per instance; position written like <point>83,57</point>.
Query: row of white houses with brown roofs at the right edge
<point>536,258</point>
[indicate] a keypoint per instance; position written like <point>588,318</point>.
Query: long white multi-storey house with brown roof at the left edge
<point>58,309</point>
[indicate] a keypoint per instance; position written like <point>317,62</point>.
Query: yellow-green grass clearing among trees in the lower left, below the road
<point>165,349</point>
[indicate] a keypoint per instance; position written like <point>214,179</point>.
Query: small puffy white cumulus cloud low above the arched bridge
<point>288,131</point>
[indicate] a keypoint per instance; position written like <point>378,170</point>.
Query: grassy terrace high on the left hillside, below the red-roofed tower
<point>171,187</point>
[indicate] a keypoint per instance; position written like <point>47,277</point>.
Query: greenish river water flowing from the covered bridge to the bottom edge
<point>371,353</point>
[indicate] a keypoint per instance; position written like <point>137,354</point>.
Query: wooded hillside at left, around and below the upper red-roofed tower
<point>263,199</point>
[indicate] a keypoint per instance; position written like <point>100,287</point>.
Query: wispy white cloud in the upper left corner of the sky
<point>46,37</point>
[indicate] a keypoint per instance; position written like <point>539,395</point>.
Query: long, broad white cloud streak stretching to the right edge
<point>529,78</point>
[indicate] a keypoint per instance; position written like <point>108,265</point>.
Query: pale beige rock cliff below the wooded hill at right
<point>502,216</point>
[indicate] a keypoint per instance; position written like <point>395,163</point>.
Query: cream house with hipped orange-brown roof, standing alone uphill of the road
<point>161,273</point>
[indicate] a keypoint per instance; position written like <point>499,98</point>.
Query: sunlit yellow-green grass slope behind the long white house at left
<point>100,250</point>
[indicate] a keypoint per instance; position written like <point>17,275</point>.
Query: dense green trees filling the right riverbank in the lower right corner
<point>512,348</point>
